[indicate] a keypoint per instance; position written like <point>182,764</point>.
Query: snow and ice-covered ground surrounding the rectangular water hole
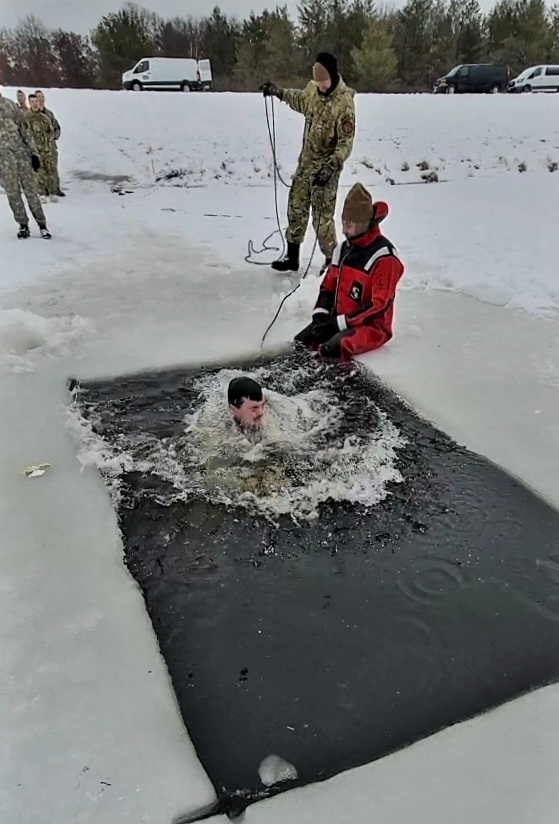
<point>154,274</point>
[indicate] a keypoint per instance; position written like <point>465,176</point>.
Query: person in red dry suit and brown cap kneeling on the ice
<point>355,306</point>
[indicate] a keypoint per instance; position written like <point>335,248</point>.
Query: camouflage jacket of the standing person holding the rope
<point>329,124</point>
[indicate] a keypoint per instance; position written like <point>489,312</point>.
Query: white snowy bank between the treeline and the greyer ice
<point>212,138</point>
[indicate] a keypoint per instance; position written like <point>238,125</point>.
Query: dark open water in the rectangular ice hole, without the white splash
<point>332,643</point>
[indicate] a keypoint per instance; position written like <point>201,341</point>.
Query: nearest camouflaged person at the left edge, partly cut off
<point>19,162</point>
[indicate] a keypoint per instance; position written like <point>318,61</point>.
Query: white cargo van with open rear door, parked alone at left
<point>159,73</point>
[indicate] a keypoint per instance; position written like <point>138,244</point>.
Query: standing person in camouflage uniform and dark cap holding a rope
<point>328,106</point>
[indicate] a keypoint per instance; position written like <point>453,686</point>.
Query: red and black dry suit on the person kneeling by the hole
<point>358,290</point>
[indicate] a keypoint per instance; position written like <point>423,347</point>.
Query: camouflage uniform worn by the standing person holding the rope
<point>327,141</point>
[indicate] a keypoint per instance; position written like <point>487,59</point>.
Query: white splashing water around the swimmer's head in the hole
<point>311,448</point>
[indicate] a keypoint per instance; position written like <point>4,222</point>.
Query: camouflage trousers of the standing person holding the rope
<point>304,197</point>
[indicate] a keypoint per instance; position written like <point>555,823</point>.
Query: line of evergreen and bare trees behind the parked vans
<point>380,48</point>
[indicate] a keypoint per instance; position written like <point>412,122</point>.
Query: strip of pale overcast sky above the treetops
<point>72,15</point>
